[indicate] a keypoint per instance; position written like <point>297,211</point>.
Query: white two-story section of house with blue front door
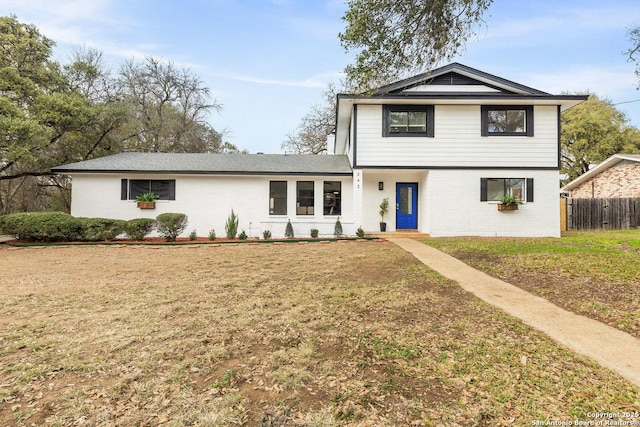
<point>445,145</point>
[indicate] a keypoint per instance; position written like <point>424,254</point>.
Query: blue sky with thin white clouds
<point>269,61</point>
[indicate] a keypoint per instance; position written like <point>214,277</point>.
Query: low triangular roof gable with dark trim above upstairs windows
<point>459,78</point>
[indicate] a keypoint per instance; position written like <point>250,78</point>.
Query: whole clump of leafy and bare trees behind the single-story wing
<point>51,115</point>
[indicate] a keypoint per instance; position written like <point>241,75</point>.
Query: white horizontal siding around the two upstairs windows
<point>457,141</point>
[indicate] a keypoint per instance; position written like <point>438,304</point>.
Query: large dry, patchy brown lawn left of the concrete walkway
<point>336,334</point>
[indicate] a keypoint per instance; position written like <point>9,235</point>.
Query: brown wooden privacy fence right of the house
<point>595,214</point>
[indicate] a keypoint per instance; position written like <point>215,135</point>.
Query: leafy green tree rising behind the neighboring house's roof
<point>593,131</point>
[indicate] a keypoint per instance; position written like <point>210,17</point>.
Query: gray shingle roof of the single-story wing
<point>204,163</point>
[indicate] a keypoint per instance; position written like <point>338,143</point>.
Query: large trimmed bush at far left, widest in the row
<point>42,226</point>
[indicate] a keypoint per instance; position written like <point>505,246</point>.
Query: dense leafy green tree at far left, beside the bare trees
<point>43,120</point>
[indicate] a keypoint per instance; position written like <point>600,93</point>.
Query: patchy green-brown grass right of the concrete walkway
<point>596,274</point>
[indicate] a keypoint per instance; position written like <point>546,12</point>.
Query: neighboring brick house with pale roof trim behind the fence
<point>618,176</point>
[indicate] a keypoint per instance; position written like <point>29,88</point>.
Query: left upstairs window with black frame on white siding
<point>407,120</point>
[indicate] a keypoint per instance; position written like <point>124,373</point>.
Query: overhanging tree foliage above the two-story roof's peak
<point>394,37</point>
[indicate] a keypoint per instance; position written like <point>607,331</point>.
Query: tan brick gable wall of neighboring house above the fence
<point>621,180</point>
